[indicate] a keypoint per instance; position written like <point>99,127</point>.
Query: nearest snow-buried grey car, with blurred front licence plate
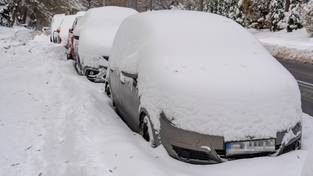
<point>203,87</point>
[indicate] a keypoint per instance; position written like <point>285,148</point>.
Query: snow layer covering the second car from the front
<point>97,31</point>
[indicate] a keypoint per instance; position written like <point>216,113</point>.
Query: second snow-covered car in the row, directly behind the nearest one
<point>96,34</point>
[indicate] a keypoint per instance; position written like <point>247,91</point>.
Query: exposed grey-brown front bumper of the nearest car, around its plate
<point>198,148</point>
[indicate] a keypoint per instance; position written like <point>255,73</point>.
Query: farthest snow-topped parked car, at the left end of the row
<point>55,28</point>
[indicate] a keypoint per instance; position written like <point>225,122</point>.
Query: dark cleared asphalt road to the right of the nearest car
<point>304,74</point>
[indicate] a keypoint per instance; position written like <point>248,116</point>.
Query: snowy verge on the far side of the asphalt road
<point>297,45</point>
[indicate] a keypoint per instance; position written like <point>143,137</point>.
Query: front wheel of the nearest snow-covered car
<point>146,131</point>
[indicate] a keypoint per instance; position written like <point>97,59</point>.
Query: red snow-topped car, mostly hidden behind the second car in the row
<point>71,41</point>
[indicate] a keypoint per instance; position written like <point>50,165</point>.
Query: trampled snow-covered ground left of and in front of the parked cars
<point>56,123</point>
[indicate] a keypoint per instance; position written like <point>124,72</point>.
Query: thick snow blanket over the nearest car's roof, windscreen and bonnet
<point>214,80</point>
